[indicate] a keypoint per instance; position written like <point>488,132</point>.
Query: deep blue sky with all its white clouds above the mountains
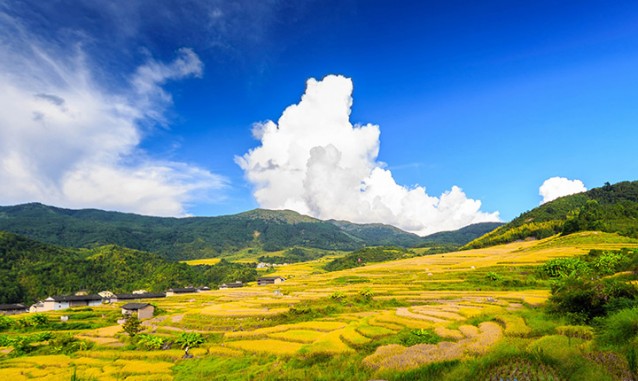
<point>427,115</point>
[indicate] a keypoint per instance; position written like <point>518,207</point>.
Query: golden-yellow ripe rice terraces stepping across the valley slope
<point>436,293</point>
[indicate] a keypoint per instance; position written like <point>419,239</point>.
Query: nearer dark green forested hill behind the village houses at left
<point>30,270</point>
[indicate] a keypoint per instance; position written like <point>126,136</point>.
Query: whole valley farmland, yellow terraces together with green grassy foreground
<point>475,314</point>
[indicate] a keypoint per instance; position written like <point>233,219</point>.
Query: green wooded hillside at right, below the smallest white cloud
<point>611,208</point>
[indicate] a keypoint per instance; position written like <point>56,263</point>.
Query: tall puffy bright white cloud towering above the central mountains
<point>314,161</point>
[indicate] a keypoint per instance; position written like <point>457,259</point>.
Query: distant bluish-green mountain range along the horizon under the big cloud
<point>204,237</point>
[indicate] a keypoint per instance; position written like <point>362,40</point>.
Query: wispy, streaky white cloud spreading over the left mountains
<point>68,141</point>
